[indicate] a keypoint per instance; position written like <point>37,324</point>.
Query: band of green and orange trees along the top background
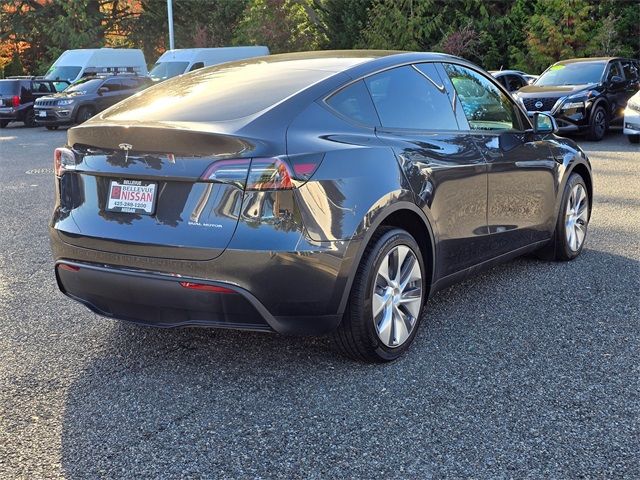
<point>523,34</point>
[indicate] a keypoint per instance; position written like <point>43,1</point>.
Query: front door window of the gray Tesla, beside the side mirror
<point>484,104</point>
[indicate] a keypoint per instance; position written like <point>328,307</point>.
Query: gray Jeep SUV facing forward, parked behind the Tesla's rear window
<point>85,98</point>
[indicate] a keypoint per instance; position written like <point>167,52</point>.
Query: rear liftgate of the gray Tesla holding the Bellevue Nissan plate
<point>137,191</point>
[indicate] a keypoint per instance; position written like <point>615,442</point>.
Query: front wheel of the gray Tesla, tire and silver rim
<point>571,226</point>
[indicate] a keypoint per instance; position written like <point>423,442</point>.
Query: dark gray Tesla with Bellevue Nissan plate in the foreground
<point>310,193</point>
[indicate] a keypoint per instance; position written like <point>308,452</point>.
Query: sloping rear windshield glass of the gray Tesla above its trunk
<point>219,93</point>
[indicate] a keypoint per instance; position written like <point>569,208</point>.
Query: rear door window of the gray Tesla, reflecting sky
<point>407,97</point>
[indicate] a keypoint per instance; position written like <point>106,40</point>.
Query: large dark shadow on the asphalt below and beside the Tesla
<point>509,373</point>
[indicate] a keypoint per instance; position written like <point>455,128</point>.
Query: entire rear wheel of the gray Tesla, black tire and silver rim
<point>385,305</point>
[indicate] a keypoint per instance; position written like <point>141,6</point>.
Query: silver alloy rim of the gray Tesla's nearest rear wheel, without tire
<point>397,296</point>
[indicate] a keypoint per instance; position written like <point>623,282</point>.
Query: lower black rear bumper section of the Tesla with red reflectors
<point>160,300</point>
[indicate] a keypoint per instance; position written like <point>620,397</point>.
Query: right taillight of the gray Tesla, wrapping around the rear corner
<point>264,173</point>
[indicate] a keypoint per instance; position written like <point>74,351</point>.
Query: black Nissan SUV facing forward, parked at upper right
<point>584,95</point>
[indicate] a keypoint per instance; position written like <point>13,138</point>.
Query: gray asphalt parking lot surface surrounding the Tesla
<point>530,370</point>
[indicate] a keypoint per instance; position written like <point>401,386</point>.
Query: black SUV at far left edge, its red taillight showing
<point>17,95</point>
